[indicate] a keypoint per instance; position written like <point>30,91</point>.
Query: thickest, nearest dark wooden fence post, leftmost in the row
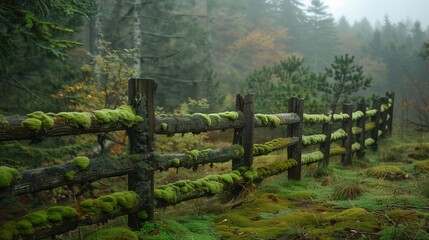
<point>141,95</point>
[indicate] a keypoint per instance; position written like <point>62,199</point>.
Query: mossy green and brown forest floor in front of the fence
<point>383,196</point>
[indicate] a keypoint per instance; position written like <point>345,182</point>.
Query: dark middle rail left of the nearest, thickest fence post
<point>35,180</point>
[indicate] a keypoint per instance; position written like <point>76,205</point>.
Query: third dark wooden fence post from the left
<point>295,105</point>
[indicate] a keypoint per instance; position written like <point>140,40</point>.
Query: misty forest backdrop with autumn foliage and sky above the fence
<point>203,52</point>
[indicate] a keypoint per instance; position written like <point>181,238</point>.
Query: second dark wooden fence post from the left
<point>244,136</point>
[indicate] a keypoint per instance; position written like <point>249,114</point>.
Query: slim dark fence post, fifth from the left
<point>346,159</point>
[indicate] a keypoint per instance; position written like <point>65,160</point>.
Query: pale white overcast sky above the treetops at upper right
<point>374,10</point>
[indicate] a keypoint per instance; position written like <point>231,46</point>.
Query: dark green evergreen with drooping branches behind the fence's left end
<point>36,36</point>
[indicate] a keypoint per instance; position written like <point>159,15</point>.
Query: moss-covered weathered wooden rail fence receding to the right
<point>358,131</point>
